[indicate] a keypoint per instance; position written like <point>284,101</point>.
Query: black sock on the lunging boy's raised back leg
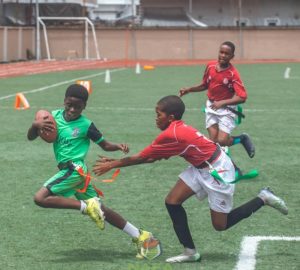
<point>243,211</point>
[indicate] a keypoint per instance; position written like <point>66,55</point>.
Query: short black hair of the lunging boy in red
<point>172,105</point>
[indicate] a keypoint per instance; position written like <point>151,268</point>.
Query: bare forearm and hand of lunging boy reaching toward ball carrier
<point>104,164</point>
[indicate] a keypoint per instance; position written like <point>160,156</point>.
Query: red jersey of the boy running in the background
<point>223,84</point>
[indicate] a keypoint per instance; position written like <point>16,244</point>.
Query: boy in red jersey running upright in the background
<point>225,91</point>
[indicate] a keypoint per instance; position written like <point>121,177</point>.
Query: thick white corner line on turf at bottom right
<point>249,247</point>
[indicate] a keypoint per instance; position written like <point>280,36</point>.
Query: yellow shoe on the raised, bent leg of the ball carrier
<point>93,209</point>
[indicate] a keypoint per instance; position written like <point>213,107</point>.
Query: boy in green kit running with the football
<point>74,132</point>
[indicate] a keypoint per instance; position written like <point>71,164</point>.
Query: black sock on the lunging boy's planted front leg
<point>180,225</point>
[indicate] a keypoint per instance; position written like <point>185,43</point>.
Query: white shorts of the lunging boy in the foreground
<point>220,195</point>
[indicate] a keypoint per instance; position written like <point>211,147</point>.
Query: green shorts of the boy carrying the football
<point>67,181</point>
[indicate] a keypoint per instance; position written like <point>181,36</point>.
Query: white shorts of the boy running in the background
<point>223,117</point>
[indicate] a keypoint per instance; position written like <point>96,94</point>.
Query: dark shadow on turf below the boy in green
<point>82,255</point>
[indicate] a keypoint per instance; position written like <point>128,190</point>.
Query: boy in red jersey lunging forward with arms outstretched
<point>179,139</point>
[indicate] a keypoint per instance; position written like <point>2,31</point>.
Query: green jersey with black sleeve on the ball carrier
<point>73,137</point>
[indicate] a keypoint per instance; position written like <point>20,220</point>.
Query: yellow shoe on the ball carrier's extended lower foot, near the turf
<point>147,246</point>
